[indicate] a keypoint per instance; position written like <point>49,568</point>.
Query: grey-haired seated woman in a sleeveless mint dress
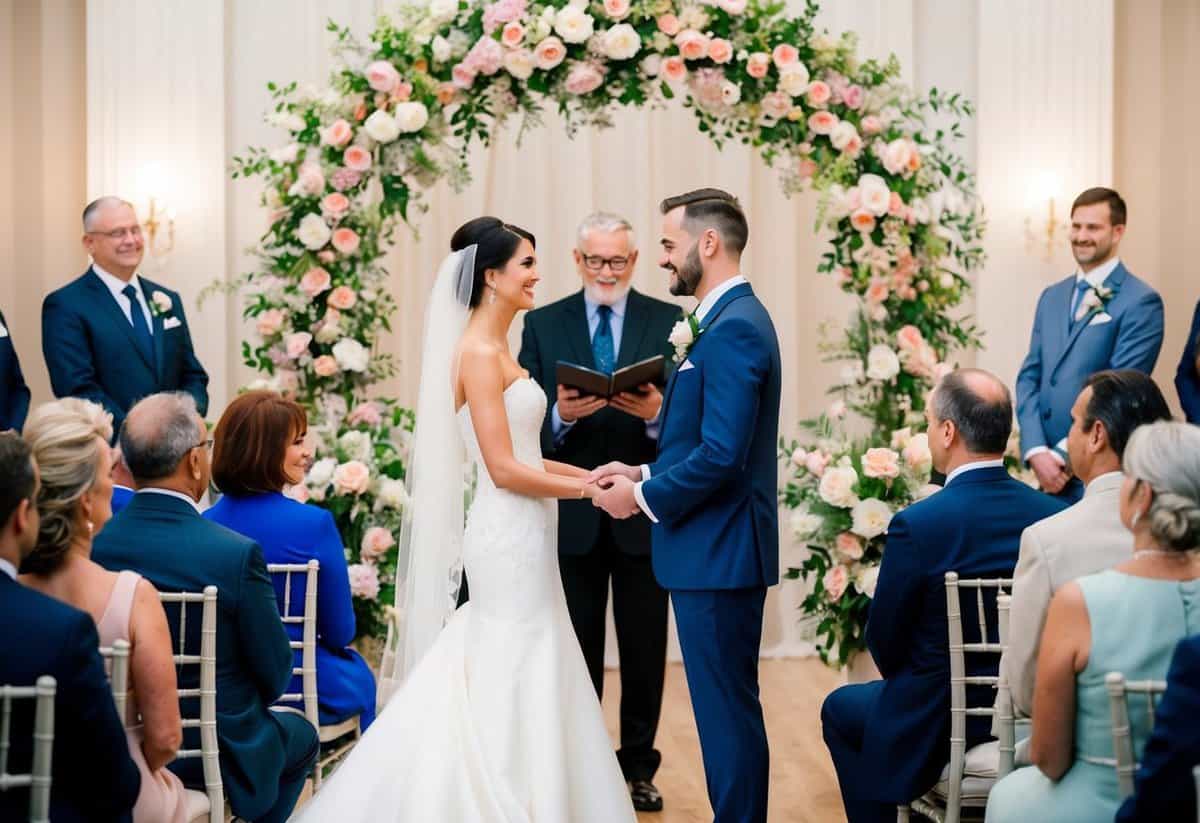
<point>1126,620</point>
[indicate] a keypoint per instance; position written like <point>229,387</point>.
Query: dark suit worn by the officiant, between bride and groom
<point>593,548</point>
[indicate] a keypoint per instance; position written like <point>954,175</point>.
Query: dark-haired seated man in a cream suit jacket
<point>1089,537</point>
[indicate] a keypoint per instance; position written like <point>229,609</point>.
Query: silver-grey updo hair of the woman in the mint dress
<point>1167,458</point>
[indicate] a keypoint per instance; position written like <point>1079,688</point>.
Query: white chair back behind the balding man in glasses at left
<point>206,695</point>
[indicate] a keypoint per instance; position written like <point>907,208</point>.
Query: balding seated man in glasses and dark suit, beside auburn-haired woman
<point>265,755</point>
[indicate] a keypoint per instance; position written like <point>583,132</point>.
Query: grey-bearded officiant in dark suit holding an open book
<point>609,326</point>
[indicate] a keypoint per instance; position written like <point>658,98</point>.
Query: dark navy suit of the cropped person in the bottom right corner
<point>1165,790</point>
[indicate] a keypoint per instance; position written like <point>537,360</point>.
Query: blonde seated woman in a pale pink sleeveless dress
<point>70,442</point>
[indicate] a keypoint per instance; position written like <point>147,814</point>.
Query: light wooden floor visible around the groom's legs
<point>803,786</point>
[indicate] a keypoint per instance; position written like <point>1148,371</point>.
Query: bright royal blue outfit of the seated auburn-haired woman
<point>292,532</point>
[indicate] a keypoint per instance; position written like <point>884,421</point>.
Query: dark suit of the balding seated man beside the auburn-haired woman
<point>265,755</point>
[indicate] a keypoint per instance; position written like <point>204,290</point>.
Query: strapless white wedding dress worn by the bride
<point>499,723</point>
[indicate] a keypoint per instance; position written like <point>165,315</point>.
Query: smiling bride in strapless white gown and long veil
<point>495,718</point>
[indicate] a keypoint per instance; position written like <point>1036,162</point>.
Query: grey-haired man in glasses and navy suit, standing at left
<point>111,335</point>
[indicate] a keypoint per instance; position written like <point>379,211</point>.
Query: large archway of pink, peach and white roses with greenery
<point>897,206</point>
